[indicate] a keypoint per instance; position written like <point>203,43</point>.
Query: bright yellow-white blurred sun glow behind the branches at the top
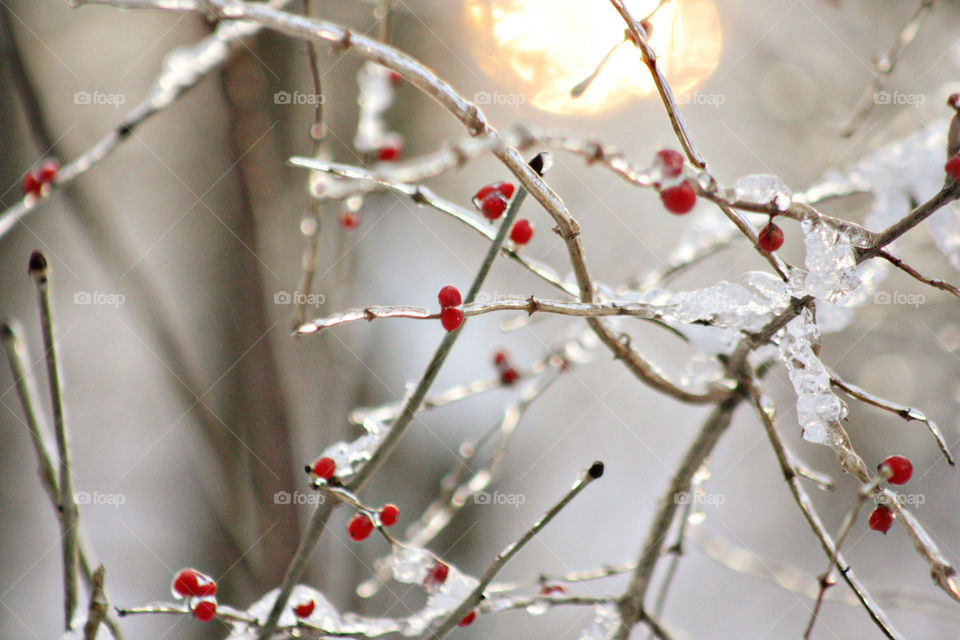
<point>540,49</point>
